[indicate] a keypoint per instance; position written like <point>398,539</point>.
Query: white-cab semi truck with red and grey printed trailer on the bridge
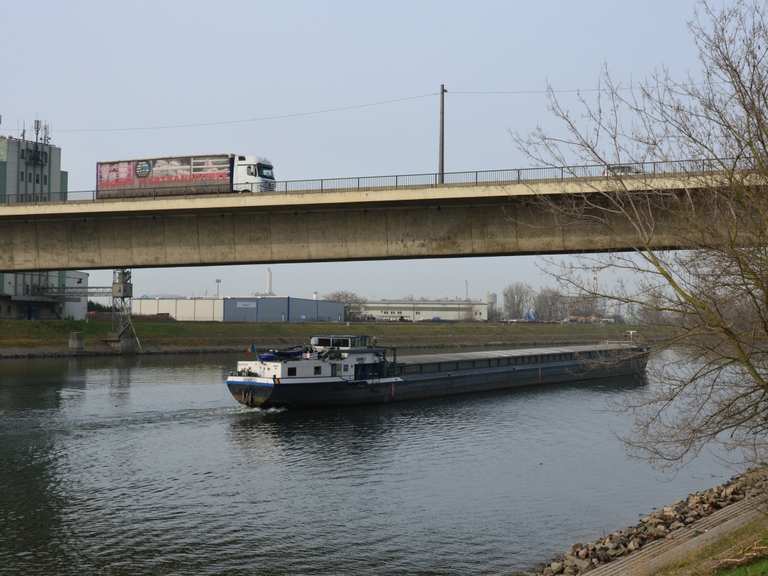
<point>184,175</point>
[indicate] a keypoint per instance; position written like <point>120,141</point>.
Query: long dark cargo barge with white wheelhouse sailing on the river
<point>337,370</point>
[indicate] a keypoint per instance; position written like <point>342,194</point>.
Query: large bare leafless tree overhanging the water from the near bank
<point>699,269</point>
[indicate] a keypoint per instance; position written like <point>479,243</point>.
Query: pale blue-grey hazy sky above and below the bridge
<point>103,73</point>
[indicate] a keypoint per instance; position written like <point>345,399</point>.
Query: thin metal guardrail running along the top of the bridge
<point>427,180</point>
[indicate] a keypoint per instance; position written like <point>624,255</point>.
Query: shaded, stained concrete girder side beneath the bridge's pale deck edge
<point>256,235</point>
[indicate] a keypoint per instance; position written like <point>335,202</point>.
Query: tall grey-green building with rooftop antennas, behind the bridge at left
<point>30,171</point>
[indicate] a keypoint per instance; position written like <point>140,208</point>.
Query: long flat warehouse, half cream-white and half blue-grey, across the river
<point>247,309</point>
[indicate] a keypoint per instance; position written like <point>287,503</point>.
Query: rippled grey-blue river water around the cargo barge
<point>147,466</point>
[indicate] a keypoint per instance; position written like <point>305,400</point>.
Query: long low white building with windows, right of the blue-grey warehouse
<point>423,310</point>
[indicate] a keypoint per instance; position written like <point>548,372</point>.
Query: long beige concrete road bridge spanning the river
<point>472,218</point>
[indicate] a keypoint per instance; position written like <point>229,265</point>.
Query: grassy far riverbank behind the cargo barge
<point>20,334</point>
